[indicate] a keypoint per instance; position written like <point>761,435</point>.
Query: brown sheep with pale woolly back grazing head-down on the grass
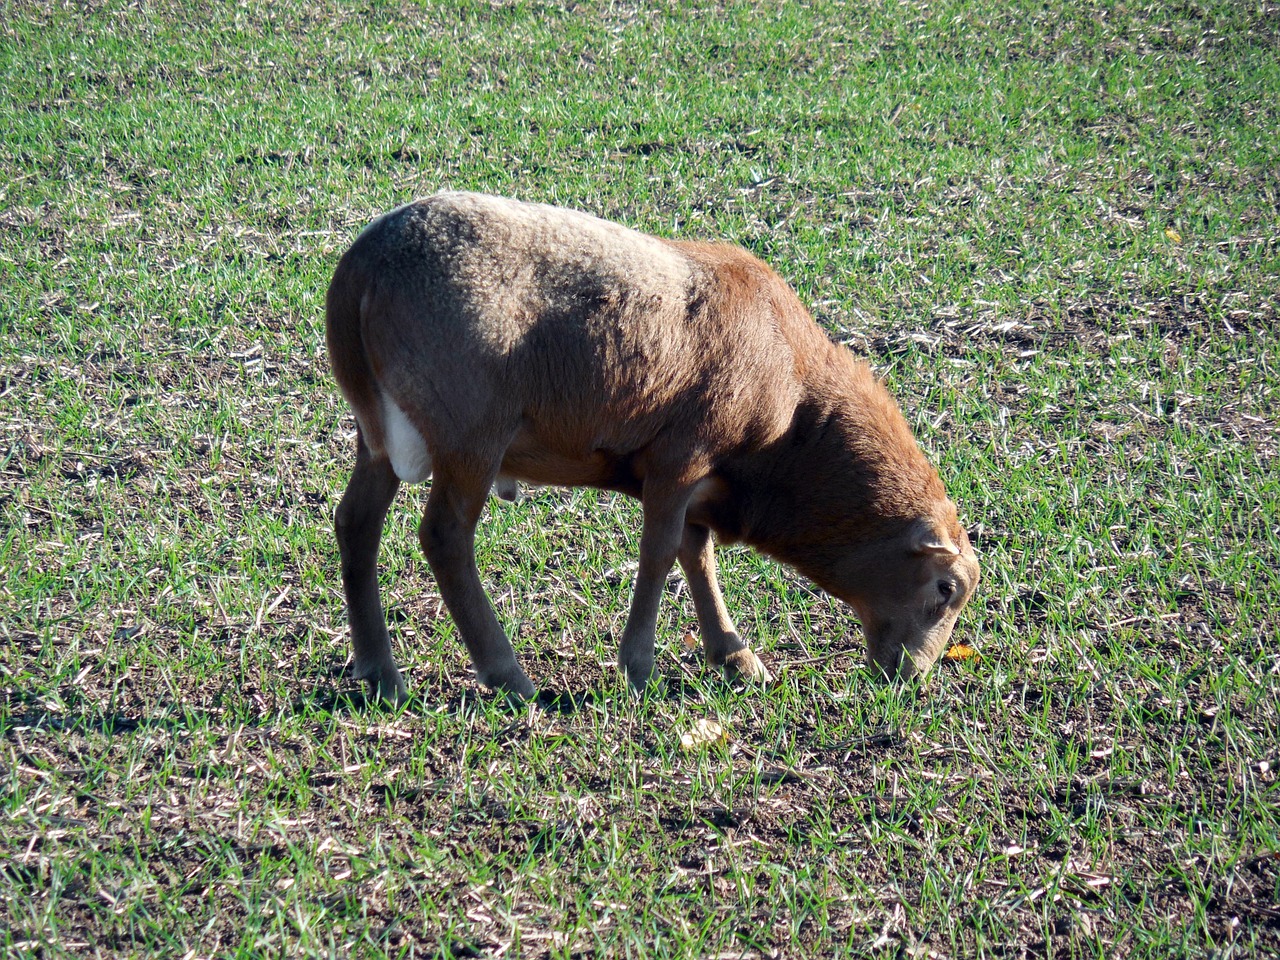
<point>525,342</point>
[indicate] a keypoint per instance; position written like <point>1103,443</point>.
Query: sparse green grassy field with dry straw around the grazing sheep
<point>1055,230</point>
